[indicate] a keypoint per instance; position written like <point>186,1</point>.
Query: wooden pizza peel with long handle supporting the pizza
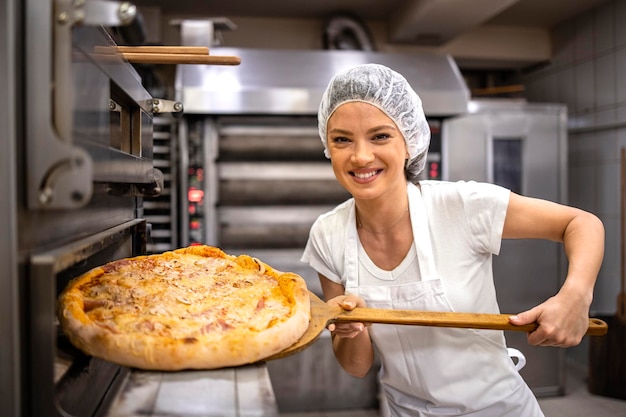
<point>323,314</point>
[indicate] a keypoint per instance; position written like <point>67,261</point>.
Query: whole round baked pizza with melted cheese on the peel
<point>191,308</point>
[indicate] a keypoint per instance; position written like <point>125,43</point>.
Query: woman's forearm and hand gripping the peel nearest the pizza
<point>351,342</point>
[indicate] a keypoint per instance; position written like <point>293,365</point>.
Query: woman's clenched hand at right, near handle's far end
<point>563,320</point>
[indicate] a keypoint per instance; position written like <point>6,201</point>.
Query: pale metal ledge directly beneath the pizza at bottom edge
<point>243,391</point>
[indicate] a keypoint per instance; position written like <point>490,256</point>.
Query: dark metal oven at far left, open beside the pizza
<point>77,163</point>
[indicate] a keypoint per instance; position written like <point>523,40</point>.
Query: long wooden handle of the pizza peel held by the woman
<point>448,319</point>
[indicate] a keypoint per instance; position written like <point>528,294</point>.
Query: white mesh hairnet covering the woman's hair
<point>390,92</point>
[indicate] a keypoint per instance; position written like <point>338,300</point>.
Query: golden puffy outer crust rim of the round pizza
<point>237,346</point>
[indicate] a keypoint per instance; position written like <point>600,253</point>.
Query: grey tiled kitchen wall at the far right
<point>588,74</point>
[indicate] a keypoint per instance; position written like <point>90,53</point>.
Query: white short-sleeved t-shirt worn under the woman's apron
<point>465,220</point>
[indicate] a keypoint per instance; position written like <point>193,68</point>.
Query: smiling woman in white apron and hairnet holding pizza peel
<point>427,245</point>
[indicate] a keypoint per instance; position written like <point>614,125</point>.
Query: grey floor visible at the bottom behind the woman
<point>577,402</point>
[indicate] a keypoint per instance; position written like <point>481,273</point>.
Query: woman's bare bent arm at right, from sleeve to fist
<point>563,318</point>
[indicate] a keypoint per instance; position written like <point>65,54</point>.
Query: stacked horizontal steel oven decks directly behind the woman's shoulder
<point>265,181</point>
